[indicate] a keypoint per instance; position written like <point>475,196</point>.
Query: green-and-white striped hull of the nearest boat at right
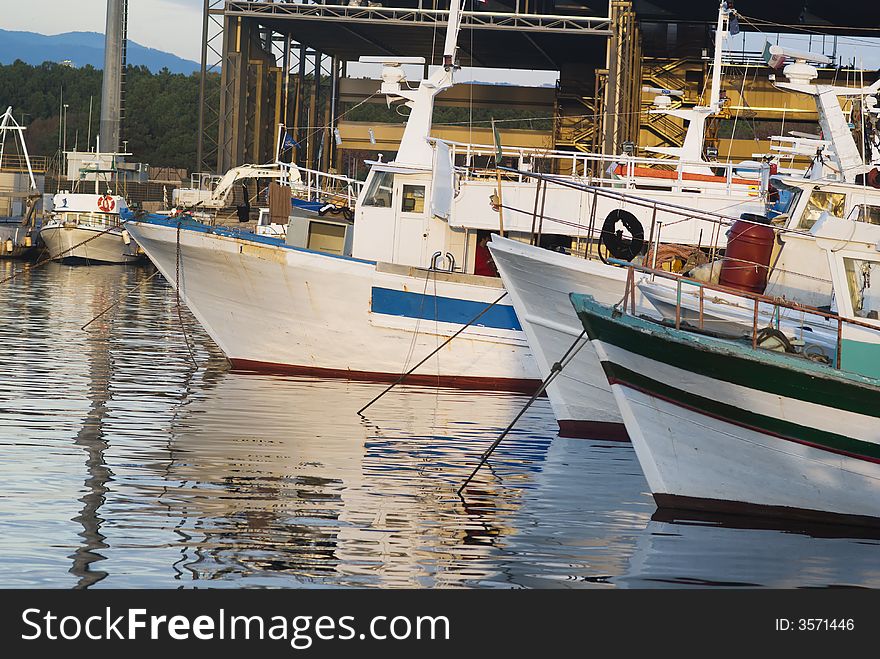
<point>742,440</point>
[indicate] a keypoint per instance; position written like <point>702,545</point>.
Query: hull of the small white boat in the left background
<point>91,244</point>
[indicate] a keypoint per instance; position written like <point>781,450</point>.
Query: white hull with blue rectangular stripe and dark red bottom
<point>273,307</point>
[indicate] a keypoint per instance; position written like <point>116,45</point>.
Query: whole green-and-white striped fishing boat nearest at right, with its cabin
<point>724,425</point>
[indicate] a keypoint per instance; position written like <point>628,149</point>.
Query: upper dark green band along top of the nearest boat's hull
<point>761,370</point>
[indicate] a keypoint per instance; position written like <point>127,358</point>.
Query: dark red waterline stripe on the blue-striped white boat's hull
<point>452,381</point>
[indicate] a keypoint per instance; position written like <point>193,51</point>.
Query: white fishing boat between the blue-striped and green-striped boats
<point>540,280</point>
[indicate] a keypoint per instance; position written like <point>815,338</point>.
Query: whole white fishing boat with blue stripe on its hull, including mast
<point>369,300</point>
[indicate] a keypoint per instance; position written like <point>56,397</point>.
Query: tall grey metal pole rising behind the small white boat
<point>112,92</point>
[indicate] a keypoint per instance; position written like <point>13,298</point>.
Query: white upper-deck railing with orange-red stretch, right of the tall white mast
<point>621,170</point>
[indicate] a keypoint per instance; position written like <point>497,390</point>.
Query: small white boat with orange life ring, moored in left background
<point>86,228</point>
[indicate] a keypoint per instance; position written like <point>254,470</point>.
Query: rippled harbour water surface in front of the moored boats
<point>124,465</point>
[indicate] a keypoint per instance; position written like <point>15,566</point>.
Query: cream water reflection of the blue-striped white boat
<point>314,490</point>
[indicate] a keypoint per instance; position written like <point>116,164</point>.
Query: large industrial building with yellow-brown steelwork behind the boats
<point>270,63</point>
